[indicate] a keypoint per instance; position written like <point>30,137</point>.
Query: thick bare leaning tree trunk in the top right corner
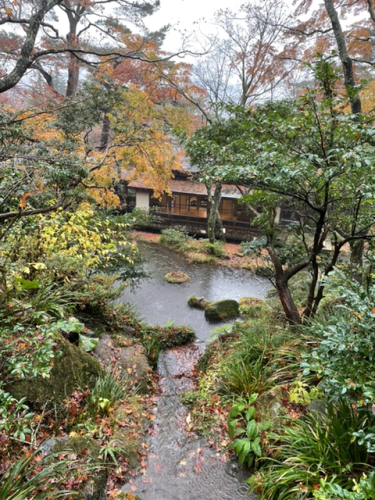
<point>347,63</point>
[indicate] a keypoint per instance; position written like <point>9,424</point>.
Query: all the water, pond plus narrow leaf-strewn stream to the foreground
<point>181,465</point>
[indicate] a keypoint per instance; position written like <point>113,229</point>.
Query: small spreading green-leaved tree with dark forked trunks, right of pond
<point>312,157</point>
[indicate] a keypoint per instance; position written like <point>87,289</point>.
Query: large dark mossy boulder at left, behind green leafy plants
<point>72,369</point>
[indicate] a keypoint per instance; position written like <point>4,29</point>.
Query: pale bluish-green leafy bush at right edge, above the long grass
<point>345,357</point>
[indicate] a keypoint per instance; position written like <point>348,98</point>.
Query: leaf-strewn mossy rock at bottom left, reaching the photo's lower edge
<point>88,453</point>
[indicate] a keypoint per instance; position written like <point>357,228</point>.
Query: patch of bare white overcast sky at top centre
<point>187,15</point>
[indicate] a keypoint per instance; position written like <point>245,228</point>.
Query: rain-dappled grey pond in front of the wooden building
<point>159,302</point>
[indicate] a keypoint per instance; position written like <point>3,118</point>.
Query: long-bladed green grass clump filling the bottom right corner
<point>319,445</point>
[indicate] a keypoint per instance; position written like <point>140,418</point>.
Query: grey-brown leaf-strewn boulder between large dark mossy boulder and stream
<point>131,361</point>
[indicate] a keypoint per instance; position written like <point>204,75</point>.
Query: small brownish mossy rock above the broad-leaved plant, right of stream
<point>270,408</point>
